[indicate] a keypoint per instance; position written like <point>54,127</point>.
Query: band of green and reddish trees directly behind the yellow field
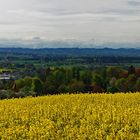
<point>73,80</point>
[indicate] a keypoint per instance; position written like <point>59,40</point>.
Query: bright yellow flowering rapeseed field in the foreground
<point>71,117</point>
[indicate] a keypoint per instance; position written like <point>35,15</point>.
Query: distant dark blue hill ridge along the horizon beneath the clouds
<point>123,52</point>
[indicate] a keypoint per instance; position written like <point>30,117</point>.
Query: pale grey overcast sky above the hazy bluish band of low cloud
<point>82,20</point>
